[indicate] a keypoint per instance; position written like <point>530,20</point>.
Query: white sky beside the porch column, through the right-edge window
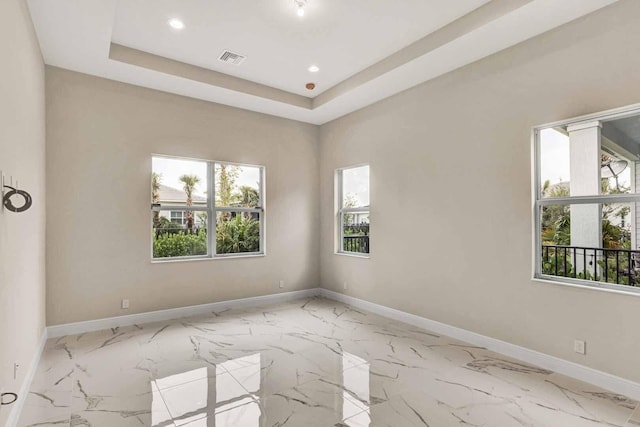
<point>554,159</point>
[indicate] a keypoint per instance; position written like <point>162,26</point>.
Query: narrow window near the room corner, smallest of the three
<point>353,210</point>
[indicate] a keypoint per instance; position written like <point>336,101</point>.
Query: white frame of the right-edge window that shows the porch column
<point>538,202</point>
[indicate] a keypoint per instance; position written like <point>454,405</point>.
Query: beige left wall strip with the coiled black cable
<point>22,155</point>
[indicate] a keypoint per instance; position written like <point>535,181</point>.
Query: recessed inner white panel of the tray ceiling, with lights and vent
<point>341,37</point>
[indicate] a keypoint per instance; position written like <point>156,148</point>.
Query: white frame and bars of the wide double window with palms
<point>211,210</point>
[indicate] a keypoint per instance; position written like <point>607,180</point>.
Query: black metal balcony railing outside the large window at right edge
<point>619,266</point>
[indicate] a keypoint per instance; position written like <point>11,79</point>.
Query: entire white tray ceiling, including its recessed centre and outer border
<point>367,50</point>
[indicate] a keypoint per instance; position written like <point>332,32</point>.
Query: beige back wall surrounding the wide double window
<point>100,138</point>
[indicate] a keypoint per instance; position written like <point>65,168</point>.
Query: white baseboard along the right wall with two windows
<point>571,369</point>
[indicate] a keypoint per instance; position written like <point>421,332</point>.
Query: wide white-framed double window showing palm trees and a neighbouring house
<point>191,197</point>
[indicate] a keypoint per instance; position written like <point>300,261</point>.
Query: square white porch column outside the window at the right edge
<point>586,227</point>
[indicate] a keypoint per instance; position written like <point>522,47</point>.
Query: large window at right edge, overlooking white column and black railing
<point>587,213</point>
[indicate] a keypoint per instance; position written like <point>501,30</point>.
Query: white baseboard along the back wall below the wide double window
<point>173,313</point>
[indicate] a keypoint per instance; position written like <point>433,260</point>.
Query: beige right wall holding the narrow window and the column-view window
<point>451,193</point>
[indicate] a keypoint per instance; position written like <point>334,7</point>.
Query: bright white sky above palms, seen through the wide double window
<point>172,169</point>
